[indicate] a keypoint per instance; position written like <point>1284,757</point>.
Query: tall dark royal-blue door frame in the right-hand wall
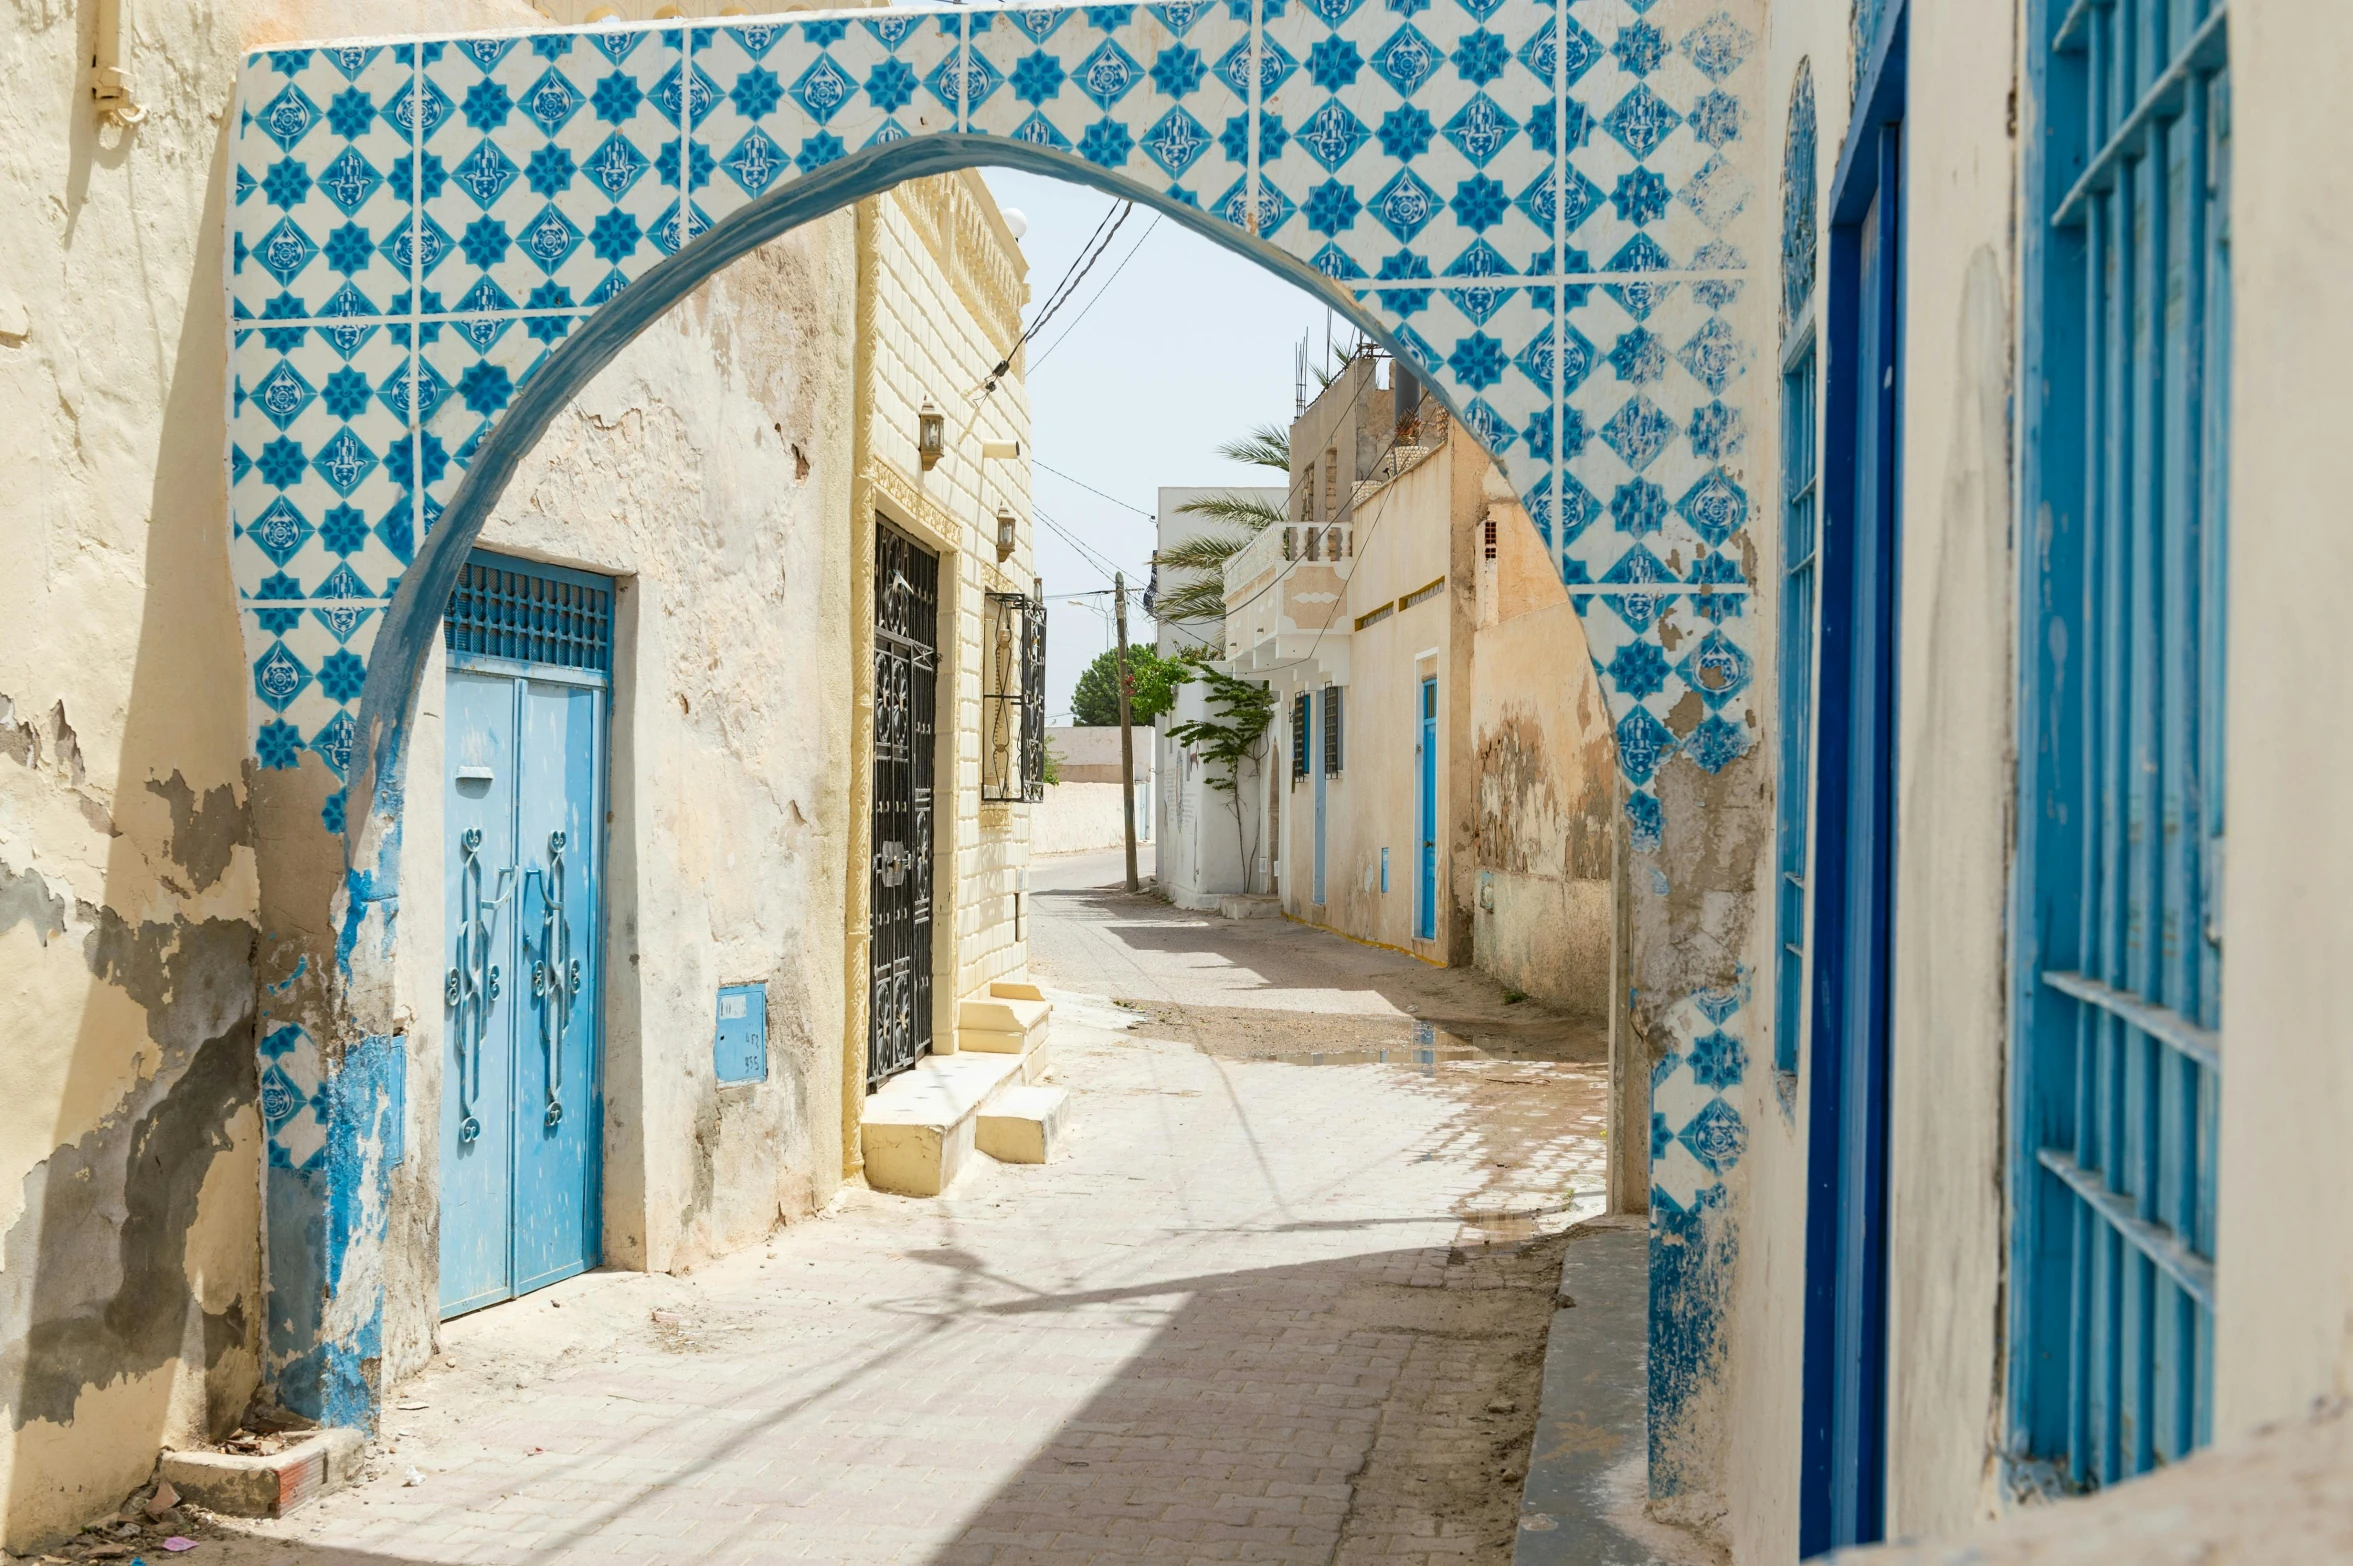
<point>1846,1273</point>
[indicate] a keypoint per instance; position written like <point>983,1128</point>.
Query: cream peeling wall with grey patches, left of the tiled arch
<point>128,876</point>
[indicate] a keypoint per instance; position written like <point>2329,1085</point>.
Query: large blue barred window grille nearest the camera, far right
<point>2121,815</point>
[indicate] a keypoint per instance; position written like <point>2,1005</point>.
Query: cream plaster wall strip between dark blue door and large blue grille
<point>1957,779</point>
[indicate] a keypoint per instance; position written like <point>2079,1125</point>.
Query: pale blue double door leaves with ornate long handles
<point>521,1095</point>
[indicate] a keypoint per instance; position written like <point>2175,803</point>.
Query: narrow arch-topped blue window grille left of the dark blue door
<point>1801,504</point>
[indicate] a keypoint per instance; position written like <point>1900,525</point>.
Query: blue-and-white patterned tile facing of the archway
<point>439,241</point>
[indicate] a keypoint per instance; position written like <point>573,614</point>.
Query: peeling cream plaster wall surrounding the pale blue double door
<point>709,471</point>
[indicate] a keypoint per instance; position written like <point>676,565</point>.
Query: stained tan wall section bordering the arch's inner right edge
<point>1540,878</point>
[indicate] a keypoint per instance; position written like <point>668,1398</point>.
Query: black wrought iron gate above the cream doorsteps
<point>907,707</point>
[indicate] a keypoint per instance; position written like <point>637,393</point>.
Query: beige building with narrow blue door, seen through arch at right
<point>1439,770</point>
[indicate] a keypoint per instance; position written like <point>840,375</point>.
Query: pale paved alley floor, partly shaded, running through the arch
<point>1284,1301</point>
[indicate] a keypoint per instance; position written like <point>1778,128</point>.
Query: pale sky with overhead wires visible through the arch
<point>1168,349</point>
